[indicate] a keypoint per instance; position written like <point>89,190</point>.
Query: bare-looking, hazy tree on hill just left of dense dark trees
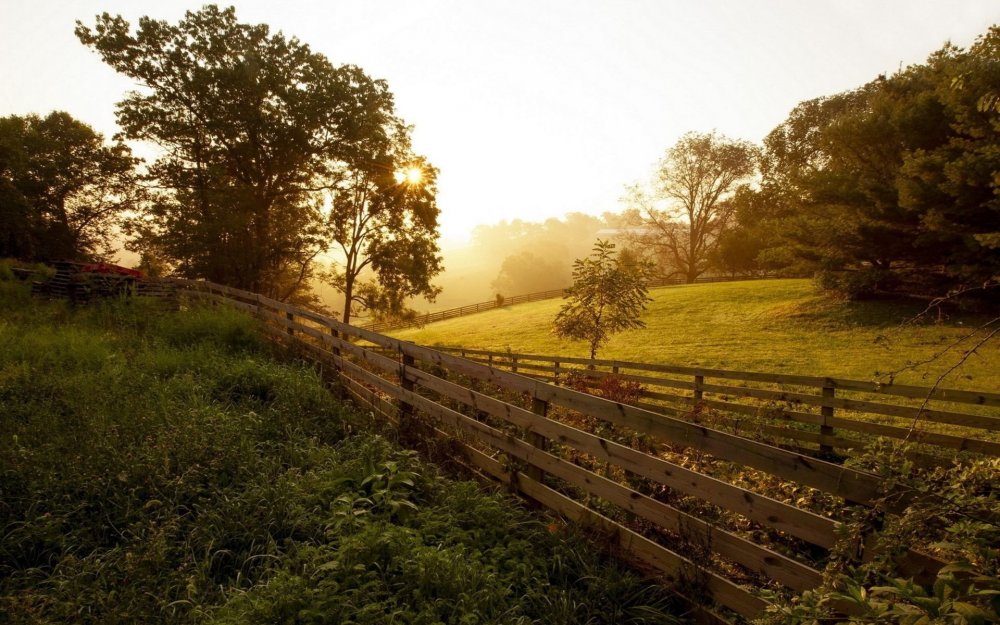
<point>681,216</point>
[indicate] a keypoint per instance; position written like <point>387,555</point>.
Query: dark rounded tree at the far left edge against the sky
<point>63,189</point>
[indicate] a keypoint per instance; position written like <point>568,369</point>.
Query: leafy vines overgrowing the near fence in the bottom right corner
<point>953,517</point>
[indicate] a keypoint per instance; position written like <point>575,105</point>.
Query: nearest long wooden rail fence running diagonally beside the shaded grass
<point>686,500</point>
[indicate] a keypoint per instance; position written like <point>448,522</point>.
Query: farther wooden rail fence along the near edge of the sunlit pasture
<point>825,415</point>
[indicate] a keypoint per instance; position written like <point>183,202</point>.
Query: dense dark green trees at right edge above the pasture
<point>893,186</point>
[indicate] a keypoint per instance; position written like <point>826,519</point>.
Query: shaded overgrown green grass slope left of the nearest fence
<point>164,468</point>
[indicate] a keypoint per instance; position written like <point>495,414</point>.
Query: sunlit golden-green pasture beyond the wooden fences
<point>776,325</point>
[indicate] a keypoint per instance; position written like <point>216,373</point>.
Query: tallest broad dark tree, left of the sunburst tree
<point>250,124</point>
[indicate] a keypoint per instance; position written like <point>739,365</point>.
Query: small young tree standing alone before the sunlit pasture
<point>608,296</point>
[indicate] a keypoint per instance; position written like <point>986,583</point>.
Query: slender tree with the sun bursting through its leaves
<point>383,222</point>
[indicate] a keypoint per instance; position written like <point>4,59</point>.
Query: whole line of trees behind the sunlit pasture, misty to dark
<point>893,187</point>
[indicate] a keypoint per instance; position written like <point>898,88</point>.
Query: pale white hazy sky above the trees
<point>534,109</point>
